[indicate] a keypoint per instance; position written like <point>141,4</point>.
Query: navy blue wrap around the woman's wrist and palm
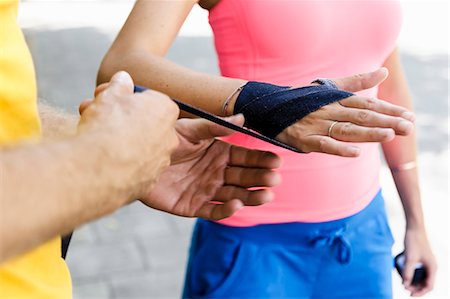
<point>269,109</point>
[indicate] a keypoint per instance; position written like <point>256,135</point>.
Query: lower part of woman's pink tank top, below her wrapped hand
<point>317,187</point>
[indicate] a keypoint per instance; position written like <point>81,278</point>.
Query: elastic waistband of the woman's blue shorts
<point>286,232</point>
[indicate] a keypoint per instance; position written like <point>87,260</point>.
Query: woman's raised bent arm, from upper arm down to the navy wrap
<point>141,46</point>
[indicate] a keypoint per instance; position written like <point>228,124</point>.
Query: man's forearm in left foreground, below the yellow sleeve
<point>49,189</point>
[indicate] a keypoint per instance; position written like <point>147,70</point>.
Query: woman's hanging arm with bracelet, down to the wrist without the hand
<point>402,150</point>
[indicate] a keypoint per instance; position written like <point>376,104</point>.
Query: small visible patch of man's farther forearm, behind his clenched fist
<point>56,124</point>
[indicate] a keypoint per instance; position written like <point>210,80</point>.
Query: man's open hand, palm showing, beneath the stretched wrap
<point>210,178</point>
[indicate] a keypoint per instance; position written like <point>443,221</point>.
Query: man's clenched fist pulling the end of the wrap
<point>137,131</point>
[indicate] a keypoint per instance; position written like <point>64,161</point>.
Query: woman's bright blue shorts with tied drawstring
<point>345,258</point>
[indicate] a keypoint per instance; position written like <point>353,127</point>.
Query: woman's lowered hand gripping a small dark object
<point>418,250</point>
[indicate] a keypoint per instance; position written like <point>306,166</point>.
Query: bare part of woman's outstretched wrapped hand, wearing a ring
<point>354,119</point>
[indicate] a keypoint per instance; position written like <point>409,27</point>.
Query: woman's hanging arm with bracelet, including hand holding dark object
<point>401,156</point>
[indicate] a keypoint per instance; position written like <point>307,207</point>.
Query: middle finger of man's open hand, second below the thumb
<point>251,177</point>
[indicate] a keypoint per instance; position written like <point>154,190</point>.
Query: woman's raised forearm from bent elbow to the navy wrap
<point>150,70</point>
